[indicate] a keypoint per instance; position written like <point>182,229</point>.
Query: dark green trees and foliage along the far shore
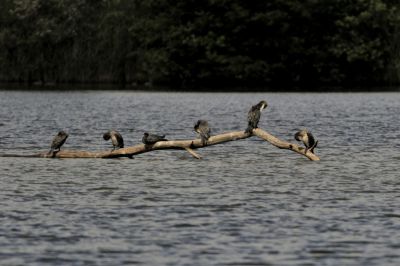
<point>203,42</point>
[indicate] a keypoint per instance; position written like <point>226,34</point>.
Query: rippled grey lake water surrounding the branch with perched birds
<point>245,203</point>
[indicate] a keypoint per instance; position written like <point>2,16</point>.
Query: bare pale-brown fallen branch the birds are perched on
<point>188,145</point>
